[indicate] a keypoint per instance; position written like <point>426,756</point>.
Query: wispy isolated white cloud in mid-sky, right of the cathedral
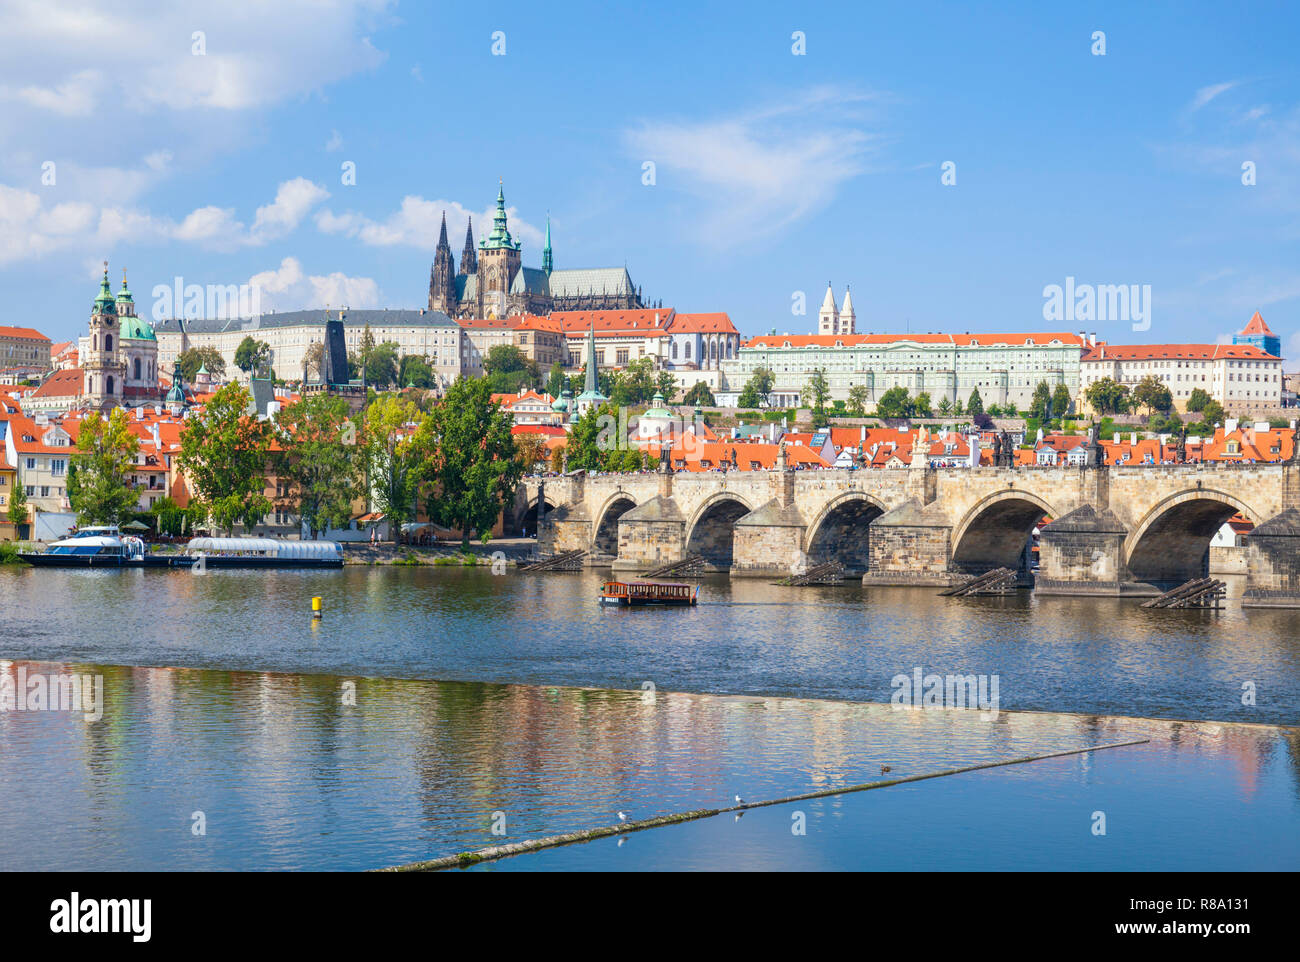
<point>759,172</point>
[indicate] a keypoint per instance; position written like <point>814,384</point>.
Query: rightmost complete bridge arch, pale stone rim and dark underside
<point>1172,543</point>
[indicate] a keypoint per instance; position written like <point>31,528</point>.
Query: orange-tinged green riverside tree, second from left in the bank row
<point>226,453</point>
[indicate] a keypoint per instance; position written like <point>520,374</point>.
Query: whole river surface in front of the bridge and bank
<point>491,701</point>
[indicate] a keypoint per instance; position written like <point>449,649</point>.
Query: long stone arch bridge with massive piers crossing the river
<point>1113,530</point>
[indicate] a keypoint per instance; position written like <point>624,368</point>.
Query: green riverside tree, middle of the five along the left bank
<point>320,461</point>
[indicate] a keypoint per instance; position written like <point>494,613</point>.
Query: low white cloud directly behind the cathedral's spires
<point>418,222</point>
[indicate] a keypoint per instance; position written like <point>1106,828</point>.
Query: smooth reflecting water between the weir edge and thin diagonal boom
<point>287,774</point>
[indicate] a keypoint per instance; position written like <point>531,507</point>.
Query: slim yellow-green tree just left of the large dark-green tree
<point>392,460</point>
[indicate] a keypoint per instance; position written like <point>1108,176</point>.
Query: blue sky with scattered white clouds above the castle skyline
<point>774,174</point>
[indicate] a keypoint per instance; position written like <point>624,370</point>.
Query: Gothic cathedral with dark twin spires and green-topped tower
<point>493,283</point>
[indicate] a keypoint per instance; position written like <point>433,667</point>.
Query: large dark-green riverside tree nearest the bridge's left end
<point>474,469</point>
